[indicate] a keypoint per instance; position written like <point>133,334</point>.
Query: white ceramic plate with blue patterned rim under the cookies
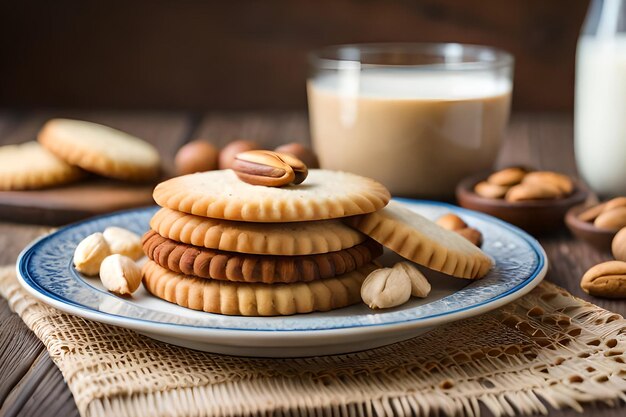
<point>45,270</point>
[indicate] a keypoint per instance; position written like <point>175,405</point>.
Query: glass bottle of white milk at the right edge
<point>600,110</point>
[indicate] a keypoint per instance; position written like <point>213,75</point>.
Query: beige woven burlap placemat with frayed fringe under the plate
<point>546,348</point>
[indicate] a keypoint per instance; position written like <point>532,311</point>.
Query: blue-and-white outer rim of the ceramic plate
<point>32,286</point>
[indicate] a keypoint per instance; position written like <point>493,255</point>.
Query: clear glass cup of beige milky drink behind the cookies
<point>417,117</point>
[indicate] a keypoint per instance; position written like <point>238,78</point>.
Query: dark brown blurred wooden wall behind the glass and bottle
<point>242,55</point>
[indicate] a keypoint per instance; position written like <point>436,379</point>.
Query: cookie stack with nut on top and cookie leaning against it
<point>271,238</point>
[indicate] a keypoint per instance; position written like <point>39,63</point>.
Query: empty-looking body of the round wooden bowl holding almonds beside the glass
<point>537,217</point>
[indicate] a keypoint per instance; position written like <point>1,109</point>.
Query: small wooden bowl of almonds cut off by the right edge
<point>597,224</point>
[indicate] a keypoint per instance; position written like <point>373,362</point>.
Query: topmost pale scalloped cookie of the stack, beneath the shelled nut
<point>221,195</point>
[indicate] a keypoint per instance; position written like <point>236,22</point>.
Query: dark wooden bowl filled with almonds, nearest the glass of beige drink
<point>538,209</point>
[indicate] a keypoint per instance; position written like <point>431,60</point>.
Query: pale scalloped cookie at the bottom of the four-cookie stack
<point>245,299</point>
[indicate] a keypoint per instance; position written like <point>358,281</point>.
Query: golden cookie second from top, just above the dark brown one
<point>298,238</point>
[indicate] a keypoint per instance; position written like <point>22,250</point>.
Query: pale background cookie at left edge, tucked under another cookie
<point>30,166</point>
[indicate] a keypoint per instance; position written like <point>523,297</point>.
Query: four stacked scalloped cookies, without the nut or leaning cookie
<point>221,245</point>
